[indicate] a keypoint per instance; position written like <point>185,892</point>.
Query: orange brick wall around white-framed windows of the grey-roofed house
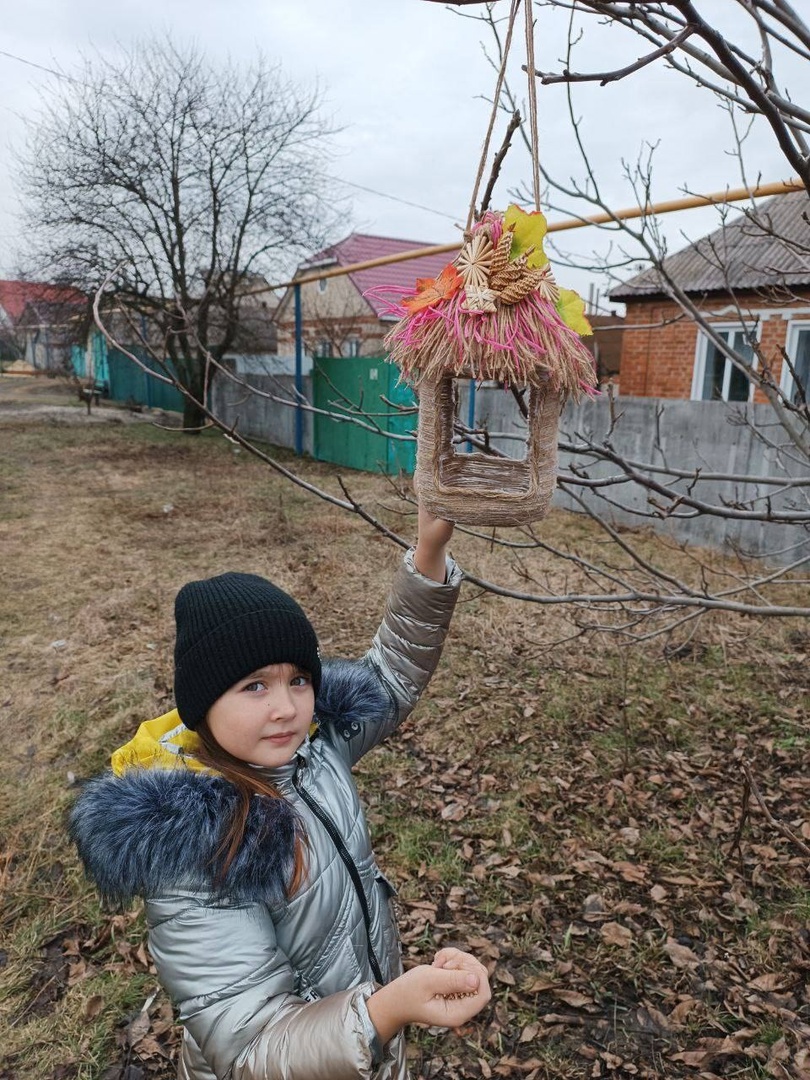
<point>659,343</point>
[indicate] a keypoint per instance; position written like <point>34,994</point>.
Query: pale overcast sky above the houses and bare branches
<point>404,82</point>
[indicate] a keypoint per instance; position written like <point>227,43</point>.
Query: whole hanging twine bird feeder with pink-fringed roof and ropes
<point>494,314</point>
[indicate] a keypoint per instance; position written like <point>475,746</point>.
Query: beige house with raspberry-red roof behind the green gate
<point>337,319</point>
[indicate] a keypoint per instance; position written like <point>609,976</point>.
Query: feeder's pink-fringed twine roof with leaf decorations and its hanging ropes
<point>497,313</point>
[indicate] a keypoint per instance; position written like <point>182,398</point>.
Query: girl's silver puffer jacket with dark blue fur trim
<point>272,989</point>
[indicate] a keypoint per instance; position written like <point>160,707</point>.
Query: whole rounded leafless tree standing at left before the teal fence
<point>179,183</point>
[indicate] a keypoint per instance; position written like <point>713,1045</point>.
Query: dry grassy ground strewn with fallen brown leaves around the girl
<point>572,815</point>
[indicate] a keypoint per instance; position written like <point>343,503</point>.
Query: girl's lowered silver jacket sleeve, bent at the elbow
<point>236,993</point>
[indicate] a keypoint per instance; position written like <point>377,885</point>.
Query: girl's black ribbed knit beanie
<point>229,627</point>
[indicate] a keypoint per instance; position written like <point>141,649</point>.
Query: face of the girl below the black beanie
<point>265,718</point>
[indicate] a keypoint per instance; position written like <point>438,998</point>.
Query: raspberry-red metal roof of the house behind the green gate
<point>361,248</point>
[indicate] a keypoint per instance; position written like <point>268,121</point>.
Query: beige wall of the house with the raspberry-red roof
<point>336,315</point>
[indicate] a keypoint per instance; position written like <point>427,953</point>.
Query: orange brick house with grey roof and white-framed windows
<point>752,279</point>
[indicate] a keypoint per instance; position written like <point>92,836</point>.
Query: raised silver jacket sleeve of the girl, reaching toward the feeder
<point>408,646</point>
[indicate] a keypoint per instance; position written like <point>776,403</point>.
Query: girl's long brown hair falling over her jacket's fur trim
<point>249,782</point>
